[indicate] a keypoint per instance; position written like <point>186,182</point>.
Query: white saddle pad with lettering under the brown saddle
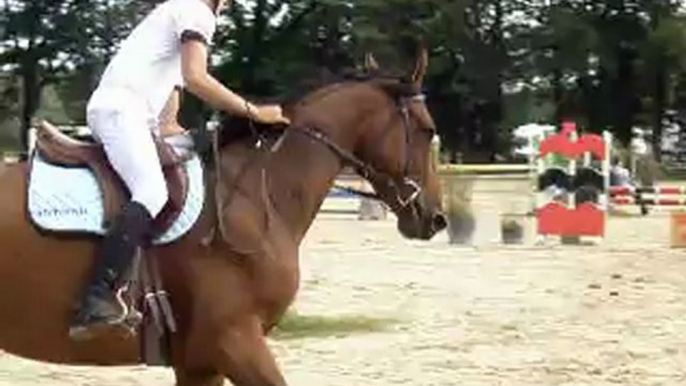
<point>63,199</point>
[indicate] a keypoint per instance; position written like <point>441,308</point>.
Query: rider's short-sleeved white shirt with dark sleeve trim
<point>147,66</point>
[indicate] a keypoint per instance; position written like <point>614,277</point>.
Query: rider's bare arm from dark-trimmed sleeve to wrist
<point>205,86</point>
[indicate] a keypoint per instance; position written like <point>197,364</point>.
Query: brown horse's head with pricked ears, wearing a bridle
<point>396,143</point>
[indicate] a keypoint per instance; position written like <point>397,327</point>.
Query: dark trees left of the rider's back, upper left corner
<point>43,41</point>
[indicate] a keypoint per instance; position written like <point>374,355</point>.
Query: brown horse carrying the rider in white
<point>229,293</point>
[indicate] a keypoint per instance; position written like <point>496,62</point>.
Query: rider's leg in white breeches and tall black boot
<point>130,148</point>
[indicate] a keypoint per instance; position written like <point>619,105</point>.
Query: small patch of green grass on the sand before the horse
<point>295,326</point>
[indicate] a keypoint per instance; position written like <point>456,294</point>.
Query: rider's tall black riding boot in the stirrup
<point>102,307</point>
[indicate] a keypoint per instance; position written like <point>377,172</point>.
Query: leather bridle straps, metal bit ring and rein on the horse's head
<point>399,200</point>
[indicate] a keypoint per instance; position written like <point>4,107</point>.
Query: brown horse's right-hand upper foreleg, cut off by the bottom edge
<point>245,357</point>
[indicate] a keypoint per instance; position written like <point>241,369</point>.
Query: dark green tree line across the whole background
<point>493,63</point>
